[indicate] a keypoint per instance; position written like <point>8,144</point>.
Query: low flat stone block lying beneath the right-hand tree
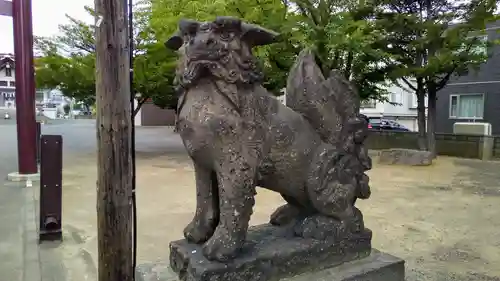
<point>410,157</point>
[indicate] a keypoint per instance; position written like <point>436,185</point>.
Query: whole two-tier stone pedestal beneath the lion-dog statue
<point>272,254</point>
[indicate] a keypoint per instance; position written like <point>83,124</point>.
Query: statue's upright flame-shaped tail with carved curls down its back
<point>332,107</point>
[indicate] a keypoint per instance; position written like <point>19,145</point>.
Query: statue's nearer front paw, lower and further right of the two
<point>222,246</point>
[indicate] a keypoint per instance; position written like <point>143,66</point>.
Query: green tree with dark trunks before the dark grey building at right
<point>431,41</point>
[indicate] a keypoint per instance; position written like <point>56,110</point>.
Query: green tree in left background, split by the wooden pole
<point>67,62</point>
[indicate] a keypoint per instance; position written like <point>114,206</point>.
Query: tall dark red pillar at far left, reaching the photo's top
<point>25,87</point>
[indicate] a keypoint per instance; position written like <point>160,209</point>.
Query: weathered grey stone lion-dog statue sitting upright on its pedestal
<point>239,136</point>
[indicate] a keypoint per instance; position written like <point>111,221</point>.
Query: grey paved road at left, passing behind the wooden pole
<point>79,138</point>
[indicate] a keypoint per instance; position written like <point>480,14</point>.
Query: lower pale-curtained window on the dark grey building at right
<point>467,106</point>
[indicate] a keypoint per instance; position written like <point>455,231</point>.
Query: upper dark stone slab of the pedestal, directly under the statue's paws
<point>270,253</point>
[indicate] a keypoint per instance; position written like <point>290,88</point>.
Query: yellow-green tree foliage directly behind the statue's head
<point>275,59</point>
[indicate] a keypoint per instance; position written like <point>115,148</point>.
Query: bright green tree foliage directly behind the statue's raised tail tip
<point>345,37</point>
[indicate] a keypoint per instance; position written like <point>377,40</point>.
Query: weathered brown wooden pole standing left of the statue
<point>114,184</point>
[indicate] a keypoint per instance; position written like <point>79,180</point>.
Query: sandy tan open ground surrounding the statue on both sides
<point>441,219</point>
